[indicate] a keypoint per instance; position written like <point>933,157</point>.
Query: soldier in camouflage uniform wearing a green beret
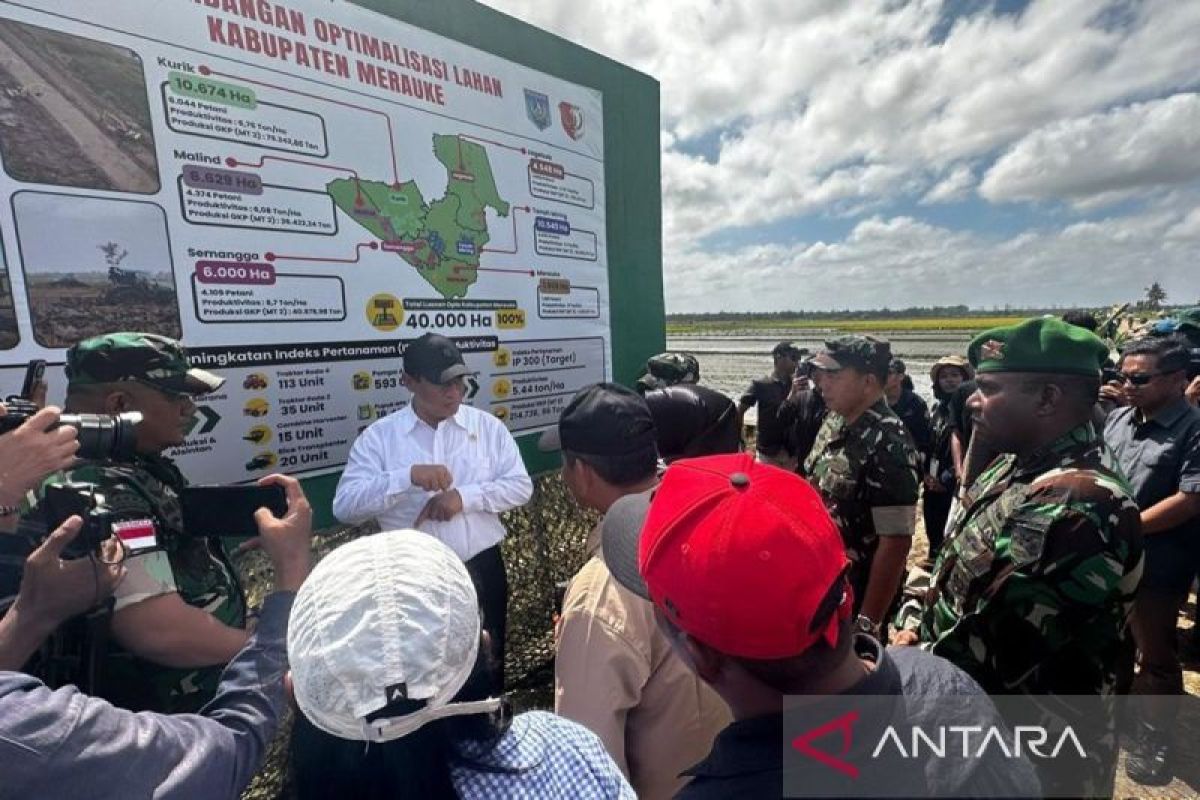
<point>1034,588</point>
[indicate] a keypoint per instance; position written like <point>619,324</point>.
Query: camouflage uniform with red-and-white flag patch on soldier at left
<point>196,568</point>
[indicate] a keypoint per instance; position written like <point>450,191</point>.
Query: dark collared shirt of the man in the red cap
<point>747,761</point>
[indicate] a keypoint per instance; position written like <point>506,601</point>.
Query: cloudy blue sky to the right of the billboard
<point>833,154</point>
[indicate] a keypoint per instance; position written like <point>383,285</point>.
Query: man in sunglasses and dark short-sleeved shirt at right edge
<point>1156,438</point>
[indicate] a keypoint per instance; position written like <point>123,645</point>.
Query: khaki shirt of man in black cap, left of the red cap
<point>616,675</point>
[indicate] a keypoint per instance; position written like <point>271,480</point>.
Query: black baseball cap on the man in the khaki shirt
<point>603,420</point>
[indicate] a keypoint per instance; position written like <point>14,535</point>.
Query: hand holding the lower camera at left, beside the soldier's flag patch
<point>53,591</point>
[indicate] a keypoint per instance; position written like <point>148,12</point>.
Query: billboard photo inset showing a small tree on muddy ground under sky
<point>95,266</point>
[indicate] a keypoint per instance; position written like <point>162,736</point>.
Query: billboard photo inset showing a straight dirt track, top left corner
<point>74,112</point>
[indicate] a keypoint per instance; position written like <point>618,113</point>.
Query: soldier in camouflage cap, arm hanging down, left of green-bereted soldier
<point>865,466</point>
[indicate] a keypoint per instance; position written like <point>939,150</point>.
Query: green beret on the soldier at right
<point>1040,345</point>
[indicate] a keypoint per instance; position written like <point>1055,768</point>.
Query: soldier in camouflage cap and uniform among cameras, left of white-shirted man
<point>179,616</point>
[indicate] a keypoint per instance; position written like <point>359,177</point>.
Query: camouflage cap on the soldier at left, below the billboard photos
<point>147,358</point>
